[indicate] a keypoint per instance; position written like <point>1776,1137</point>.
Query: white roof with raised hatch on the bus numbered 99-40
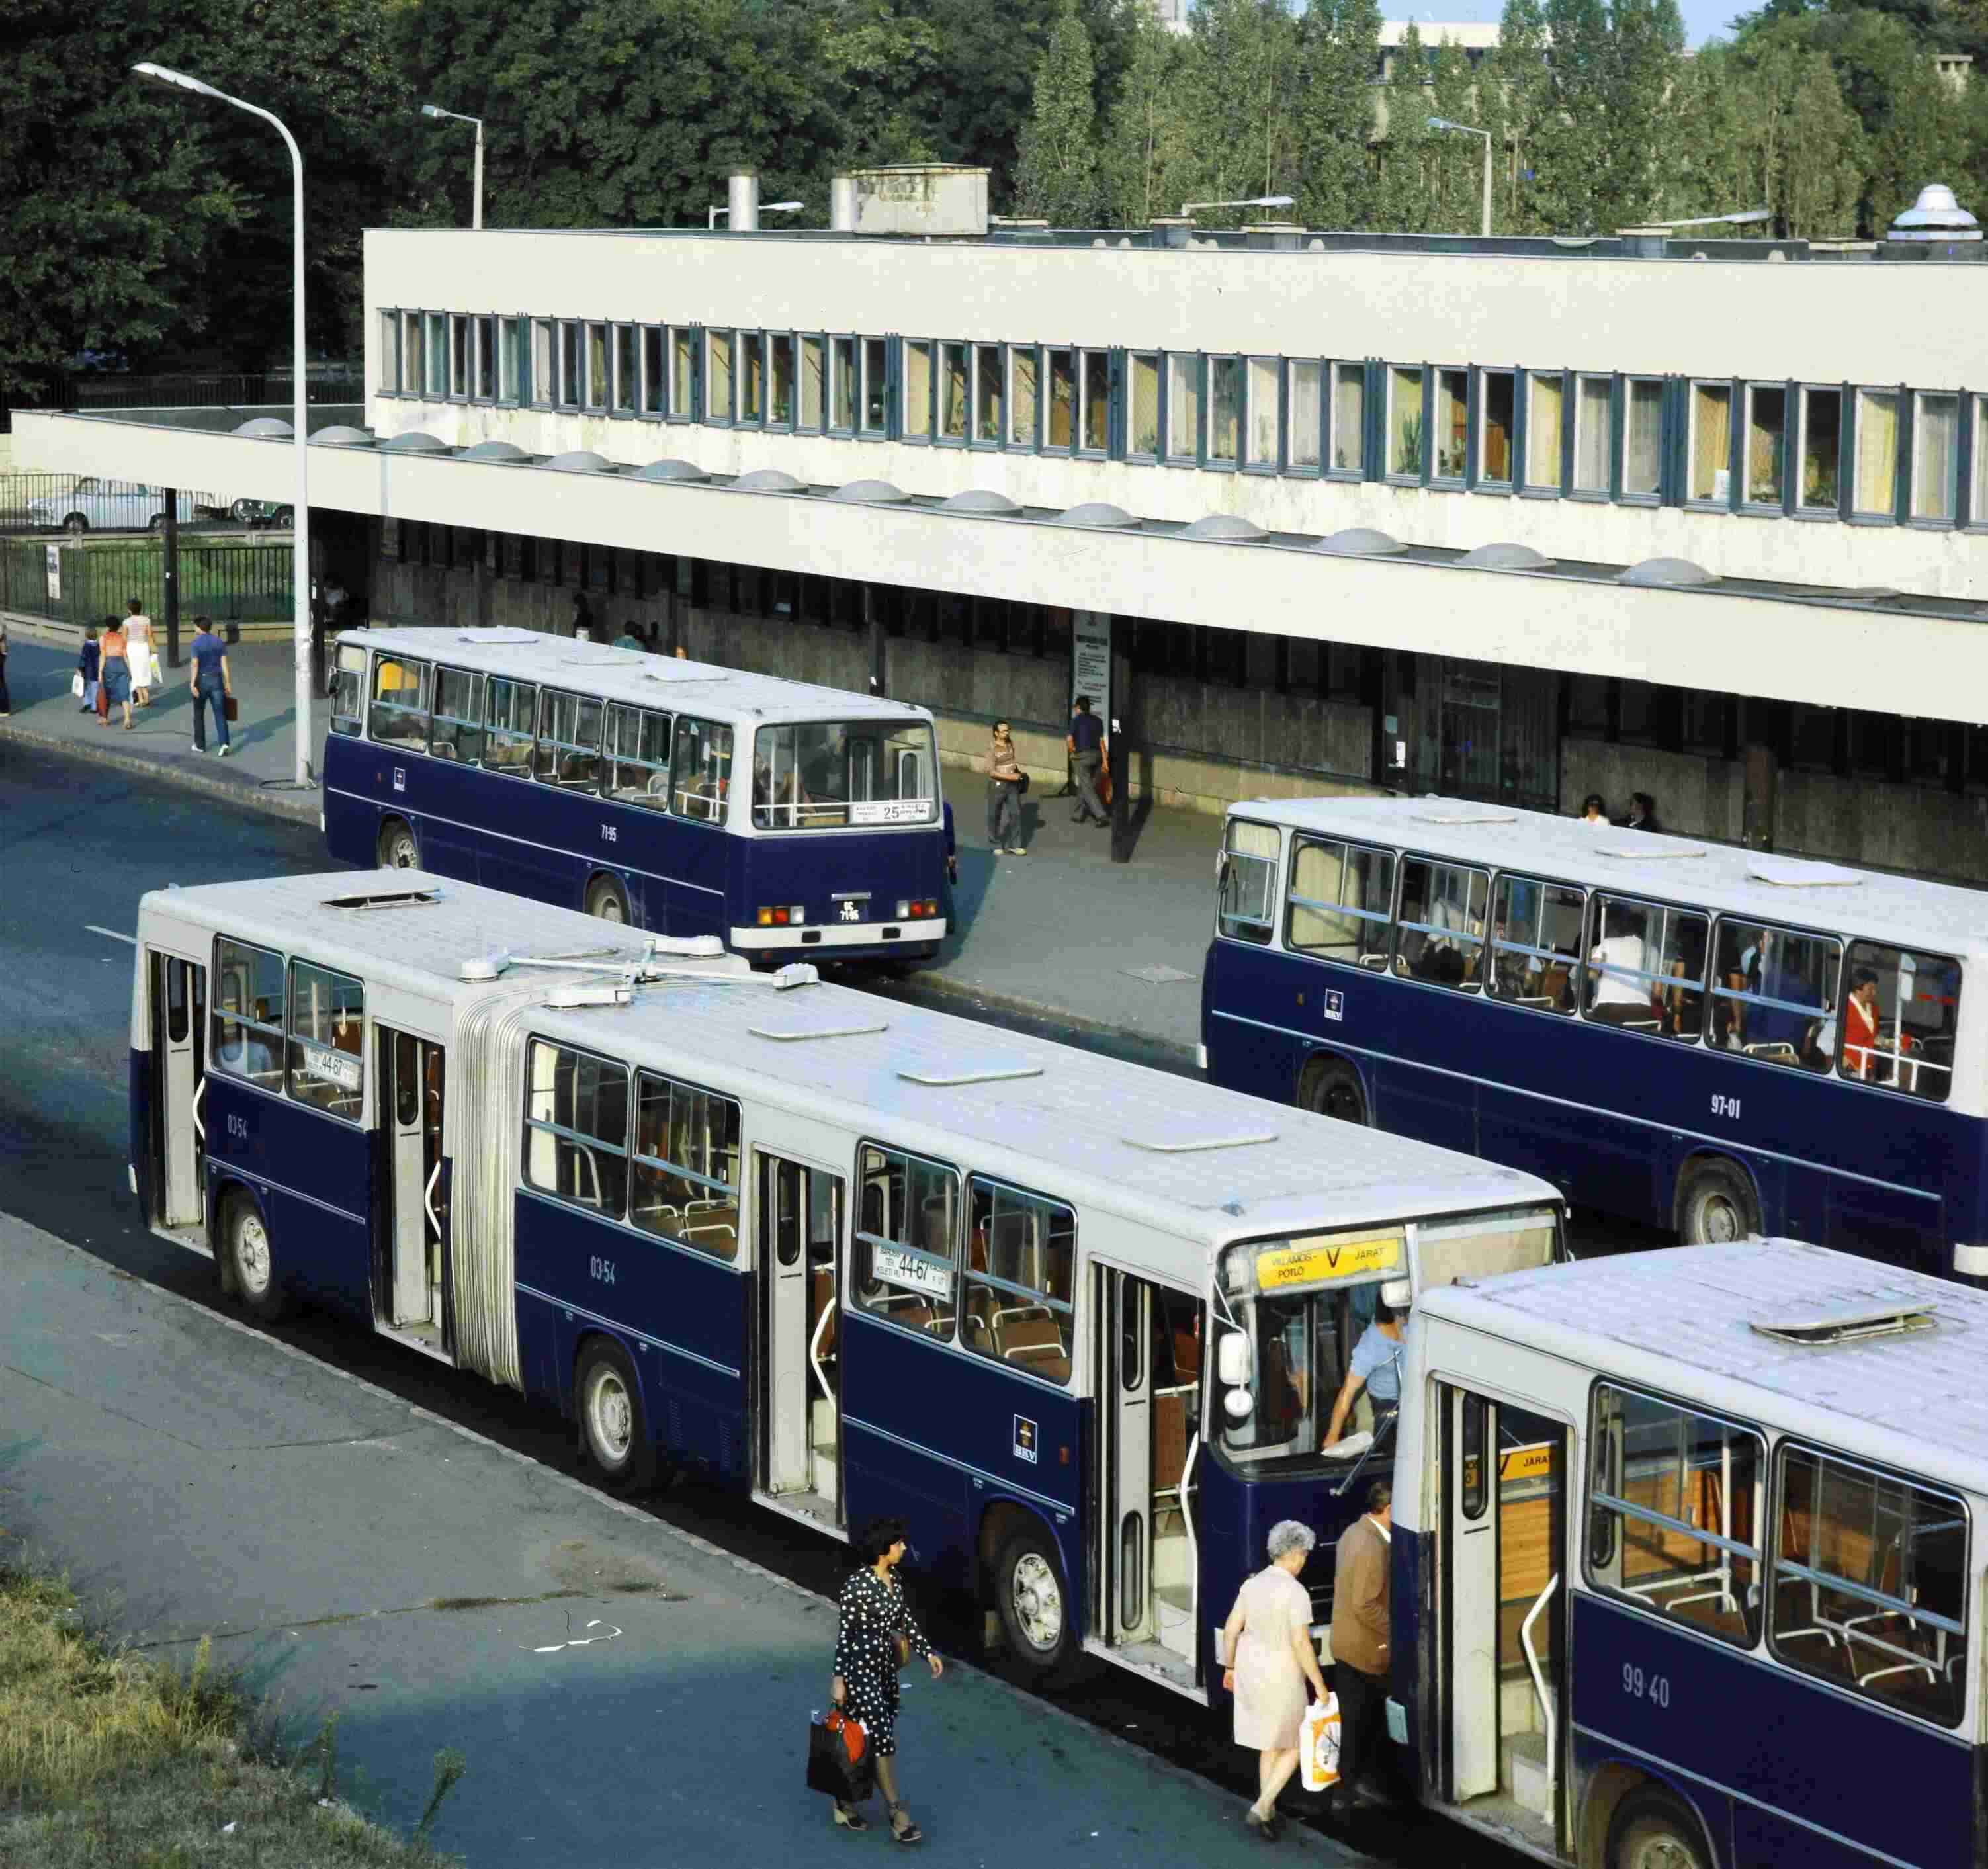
<point>1687,1321</point>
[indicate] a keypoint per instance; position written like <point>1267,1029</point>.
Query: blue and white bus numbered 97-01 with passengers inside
<point>1679,1033</point>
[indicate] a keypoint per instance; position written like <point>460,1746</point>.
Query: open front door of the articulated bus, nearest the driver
<point>1146,1558</point>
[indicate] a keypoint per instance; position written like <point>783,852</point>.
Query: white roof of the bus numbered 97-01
<point>1679,870</point>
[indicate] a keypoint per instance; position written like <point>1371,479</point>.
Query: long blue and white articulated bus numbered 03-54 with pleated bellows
<point>856,1258</point>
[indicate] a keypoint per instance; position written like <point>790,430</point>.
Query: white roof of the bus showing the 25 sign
<point>631,675</point>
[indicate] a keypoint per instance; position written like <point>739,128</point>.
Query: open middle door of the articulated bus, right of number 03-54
<point>800,1367</point>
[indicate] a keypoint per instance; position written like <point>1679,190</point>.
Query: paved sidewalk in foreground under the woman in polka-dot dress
<point>625,1693</point>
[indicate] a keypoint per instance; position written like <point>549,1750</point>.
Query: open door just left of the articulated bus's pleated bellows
<point>413,1277</point>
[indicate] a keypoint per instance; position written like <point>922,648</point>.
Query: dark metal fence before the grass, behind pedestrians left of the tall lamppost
<point>86,584</point>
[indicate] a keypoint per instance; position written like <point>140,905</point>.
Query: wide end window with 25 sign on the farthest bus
<point>844,772</point>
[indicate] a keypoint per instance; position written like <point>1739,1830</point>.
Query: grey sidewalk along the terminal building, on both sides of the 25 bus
<point>1057,934</point>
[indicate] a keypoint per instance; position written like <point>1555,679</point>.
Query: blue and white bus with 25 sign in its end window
<point>601,778</point>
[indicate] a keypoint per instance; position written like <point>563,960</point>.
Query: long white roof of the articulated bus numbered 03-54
<point>1194,1162</point>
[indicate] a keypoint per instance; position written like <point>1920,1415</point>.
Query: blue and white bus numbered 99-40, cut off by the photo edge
<point>1685,1562</point>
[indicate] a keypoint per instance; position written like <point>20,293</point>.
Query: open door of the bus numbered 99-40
<point>1502,1614</point>
